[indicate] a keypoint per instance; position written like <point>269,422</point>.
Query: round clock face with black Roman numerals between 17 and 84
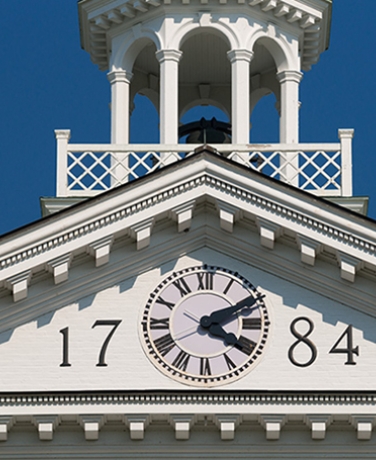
<point>205,326</point>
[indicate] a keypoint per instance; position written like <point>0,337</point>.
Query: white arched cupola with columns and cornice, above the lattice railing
<point>186,53</point>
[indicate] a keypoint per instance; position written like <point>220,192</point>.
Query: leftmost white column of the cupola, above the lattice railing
<point>120,82</point>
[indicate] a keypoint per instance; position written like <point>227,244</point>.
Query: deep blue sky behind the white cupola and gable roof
<point>47,82</point>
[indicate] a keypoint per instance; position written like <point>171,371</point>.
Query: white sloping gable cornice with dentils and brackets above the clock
<point>279,213</point>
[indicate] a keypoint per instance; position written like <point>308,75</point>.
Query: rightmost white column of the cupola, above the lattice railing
<point>289,106</point>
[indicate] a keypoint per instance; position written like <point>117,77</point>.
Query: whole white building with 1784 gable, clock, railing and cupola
<point>202,297</point>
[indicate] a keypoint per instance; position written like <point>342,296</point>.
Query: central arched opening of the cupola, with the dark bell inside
<point>204,89</point>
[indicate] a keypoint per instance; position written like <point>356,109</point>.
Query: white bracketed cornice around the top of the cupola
<point>98,18</point>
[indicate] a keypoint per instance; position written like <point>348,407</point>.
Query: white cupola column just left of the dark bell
<point>169,104</point>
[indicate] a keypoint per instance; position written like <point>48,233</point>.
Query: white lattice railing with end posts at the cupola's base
<point>89,169</point>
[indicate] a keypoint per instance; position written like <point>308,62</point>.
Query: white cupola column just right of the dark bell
<point>240,99</point>
